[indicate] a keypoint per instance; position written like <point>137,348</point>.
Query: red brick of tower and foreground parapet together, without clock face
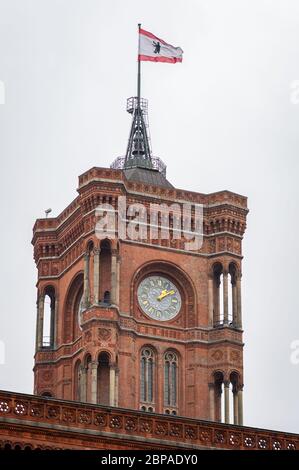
<point>92,336</point>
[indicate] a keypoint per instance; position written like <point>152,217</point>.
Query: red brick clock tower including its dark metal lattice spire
<point>127,315</point>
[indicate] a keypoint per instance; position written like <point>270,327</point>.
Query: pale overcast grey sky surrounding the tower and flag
<point>223,119</point>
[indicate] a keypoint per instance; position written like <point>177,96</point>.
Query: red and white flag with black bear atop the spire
<point>156,50</point>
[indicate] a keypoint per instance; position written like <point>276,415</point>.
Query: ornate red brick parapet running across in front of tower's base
<point>59,419</point>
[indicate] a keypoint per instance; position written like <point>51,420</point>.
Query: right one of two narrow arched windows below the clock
<point>170,379</point>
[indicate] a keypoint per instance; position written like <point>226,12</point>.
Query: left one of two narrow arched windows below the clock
<point>147,375</point>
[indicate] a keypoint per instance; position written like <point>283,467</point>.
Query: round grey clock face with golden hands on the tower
<point>159,298</point>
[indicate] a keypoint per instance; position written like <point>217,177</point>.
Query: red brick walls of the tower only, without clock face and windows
<point>100,363</point>
